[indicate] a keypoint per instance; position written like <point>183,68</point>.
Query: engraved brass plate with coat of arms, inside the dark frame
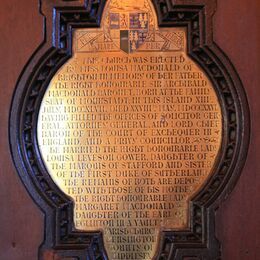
<point>130,128</point>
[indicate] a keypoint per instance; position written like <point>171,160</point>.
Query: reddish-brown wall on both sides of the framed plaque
<point>236,26</point>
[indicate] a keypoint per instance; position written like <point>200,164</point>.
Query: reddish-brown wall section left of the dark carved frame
<point>21,222</point>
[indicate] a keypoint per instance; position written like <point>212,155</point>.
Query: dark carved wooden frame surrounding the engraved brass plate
<point>60,17</point>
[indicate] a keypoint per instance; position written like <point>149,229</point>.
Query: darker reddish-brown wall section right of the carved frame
<point>237,32</point>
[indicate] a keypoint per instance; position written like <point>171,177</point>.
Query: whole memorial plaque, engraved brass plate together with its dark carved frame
<point>130,131</point>
